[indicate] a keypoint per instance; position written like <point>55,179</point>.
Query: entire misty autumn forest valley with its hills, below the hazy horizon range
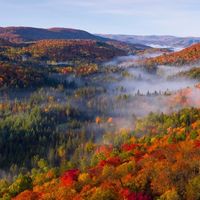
<point>85,117</point>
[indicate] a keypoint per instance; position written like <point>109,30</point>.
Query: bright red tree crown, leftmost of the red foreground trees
<point>69,177</point>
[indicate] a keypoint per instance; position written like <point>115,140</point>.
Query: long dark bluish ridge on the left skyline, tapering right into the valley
<point>25,35</point>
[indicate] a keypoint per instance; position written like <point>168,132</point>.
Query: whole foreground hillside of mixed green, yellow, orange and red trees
<point>163,164</point>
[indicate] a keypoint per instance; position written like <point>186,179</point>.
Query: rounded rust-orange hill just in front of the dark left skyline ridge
<point>70,50</point>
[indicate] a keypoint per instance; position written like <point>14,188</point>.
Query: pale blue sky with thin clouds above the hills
<point>132,17</point>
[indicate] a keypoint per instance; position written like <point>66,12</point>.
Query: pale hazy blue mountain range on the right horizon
<point>155,41</point>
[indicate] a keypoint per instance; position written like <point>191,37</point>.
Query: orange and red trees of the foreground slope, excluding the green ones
<point>163,168</point>
